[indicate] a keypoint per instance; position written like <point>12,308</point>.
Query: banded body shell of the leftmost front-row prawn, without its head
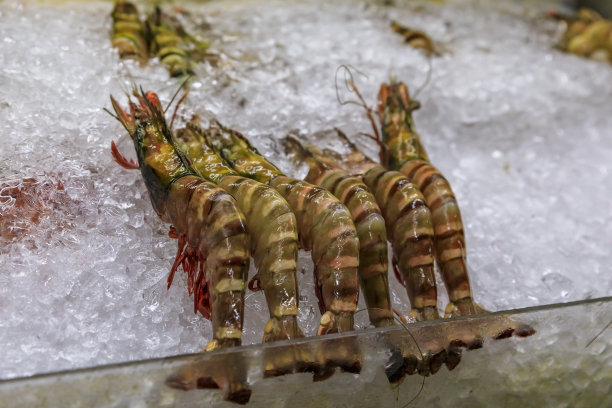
<point>215,227</point>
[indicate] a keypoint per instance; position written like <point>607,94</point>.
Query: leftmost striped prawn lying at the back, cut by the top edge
<point>128,34</point>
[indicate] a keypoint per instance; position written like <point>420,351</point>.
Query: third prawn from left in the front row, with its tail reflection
<point>325,228</point>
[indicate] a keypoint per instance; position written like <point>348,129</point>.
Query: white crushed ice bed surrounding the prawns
<point>520,130</point>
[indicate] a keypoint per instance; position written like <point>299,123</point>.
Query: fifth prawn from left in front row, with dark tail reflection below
<point>410,232</point>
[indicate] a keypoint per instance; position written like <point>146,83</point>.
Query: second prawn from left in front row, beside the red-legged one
<point>273,228</point>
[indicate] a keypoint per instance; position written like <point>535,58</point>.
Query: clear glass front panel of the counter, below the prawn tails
<point>566,364</point>
